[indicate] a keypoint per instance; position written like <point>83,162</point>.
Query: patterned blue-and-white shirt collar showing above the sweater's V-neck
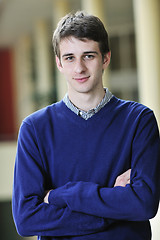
<point>90,113</point>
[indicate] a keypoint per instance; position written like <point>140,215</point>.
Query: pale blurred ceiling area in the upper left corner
<point>18,16</point>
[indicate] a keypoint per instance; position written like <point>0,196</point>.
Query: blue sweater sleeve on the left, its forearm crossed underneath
<point>31,215</point>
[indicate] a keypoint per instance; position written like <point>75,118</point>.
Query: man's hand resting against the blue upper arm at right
<point>123,179</point>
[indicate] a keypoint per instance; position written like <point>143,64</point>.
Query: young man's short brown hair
<point>81,25</point>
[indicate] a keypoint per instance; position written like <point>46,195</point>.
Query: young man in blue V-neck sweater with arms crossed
<point>72,173</point>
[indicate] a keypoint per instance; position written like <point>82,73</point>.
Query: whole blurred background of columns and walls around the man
<point>29,79</point>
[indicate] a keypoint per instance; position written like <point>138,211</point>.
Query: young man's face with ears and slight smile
<point>82,64</point>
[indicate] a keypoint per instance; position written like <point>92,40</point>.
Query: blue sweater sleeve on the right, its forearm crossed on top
<point>138,201</point>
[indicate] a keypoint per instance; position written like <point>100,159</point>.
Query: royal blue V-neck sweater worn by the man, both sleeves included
<point>80,160</point>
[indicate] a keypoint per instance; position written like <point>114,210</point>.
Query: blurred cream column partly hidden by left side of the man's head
<point>60,9</point>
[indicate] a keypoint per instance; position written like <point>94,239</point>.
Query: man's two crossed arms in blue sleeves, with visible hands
<point>77,203</point>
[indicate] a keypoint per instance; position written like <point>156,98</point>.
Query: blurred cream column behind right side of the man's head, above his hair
<point>97,8</point>
